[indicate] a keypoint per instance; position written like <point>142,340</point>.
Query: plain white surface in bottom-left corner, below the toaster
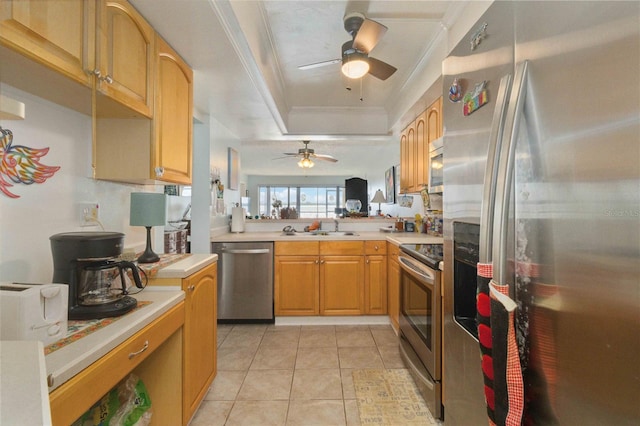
<point>25,400</point>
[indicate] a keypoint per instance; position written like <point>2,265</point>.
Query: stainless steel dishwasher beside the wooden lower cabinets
<point>245,282</point>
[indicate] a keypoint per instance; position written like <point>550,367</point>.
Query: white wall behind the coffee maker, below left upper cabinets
<point>42,210</point>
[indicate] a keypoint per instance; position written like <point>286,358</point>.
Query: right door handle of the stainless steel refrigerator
<point>506,164</point>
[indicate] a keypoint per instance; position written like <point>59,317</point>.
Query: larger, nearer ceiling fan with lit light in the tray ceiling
<point>356,62</point>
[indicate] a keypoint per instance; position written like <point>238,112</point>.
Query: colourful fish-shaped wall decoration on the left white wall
<point>21,164</point>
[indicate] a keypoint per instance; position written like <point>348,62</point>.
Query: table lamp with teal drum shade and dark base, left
<point>148,209</point>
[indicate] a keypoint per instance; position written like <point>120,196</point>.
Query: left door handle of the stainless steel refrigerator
<point>490,175</point>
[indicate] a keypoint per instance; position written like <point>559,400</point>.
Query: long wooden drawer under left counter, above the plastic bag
<point>76,396</point>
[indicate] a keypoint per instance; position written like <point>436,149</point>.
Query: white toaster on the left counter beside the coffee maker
<point>33,312</point>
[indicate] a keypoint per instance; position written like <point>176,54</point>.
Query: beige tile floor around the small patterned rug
<point>293,375</point>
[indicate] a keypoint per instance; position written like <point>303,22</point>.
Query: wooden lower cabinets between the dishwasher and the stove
<point>330,278</point>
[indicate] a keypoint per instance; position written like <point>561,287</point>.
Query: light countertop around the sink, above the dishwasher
<point>394,237</point>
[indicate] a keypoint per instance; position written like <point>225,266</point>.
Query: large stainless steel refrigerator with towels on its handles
<point>542,183</point>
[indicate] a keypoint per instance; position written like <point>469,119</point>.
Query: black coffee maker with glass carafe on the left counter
<point>87,262</point>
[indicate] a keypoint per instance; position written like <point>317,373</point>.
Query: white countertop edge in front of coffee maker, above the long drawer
<point>69,360</point>
